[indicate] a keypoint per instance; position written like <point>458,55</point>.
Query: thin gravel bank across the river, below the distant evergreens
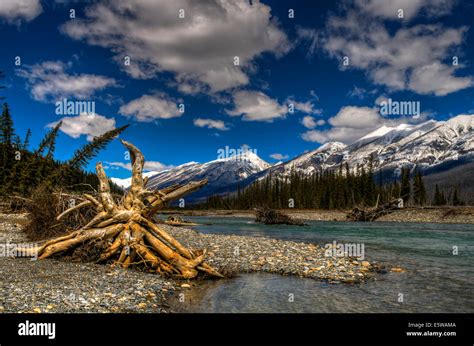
<point>428,215</point>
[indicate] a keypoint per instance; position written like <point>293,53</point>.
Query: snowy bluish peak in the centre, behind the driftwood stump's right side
<point>223,175</point>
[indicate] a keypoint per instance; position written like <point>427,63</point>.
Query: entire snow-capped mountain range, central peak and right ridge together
<point>435,147</point>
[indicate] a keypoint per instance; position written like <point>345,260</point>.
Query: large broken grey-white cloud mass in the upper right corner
<point>408,58</point>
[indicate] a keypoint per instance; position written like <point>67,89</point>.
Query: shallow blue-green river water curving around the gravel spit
<point>436,280</point>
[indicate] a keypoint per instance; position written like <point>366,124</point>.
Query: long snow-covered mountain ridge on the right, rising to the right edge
<point>428,146</point>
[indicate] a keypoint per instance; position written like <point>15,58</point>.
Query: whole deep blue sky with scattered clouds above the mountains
<point>284,62</point>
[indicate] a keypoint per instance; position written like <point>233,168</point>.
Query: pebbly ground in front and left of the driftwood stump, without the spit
<point>59,286</point>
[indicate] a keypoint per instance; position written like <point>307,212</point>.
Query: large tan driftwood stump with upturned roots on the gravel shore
<point>128,228</point>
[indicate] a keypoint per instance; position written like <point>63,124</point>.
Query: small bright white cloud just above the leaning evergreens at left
<point>89,124</point>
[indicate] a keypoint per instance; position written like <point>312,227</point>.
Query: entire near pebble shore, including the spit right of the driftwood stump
<point>60,286</point>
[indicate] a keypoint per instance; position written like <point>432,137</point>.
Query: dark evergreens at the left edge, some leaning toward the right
<point>23,169</point>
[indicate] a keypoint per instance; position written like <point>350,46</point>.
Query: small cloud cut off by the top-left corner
<point>17,10</point>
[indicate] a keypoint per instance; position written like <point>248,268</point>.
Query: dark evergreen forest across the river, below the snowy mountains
<point>341,188</point>
